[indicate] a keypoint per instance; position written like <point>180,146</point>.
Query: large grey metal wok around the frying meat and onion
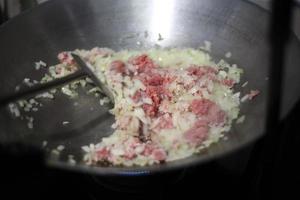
<point>41,33</point>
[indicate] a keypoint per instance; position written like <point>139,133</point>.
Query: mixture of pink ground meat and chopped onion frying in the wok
<point>169,104</point>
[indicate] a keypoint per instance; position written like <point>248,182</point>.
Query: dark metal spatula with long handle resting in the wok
<point>83,71</point>
